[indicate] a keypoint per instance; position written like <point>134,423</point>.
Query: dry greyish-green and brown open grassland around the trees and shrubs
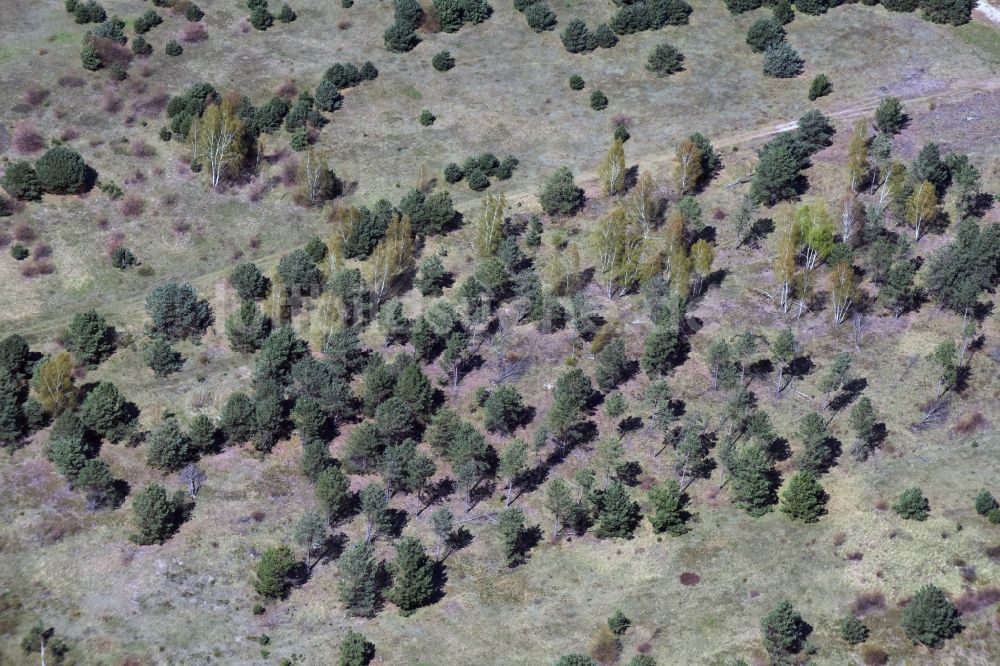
<point>189,600</point>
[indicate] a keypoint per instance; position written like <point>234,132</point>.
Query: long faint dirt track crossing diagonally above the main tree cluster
<point>43,329</point>
